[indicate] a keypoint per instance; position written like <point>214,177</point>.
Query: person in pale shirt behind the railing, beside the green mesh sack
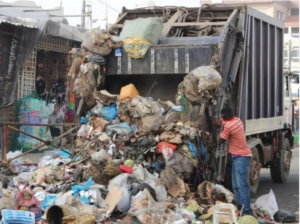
<point>56,117</point>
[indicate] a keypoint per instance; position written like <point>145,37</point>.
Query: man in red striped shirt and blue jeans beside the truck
<point>233,131</point>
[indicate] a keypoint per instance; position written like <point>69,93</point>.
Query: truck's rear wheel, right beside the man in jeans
<point>254,171</point>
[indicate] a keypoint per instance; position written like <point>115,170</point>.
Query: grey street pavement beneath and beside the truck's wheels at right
<point>287,194</point>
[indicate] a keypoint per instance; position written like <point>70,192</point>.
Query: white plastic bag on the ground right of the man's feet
<point>268,202</point>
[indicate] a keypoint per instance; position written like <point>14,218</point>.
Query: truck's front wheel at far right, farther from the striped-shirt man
<point>280,168</point>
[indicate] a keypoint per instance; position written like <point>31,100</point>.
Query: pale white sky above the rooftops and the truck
<point>73,7</point>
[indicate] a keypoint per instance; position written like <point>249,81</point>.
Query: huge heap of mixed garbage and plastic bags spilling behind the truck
<point>136,160</point>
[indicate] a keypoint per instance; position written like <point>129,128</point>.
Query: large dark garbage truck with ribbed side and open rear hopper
<point>246,47</point>
